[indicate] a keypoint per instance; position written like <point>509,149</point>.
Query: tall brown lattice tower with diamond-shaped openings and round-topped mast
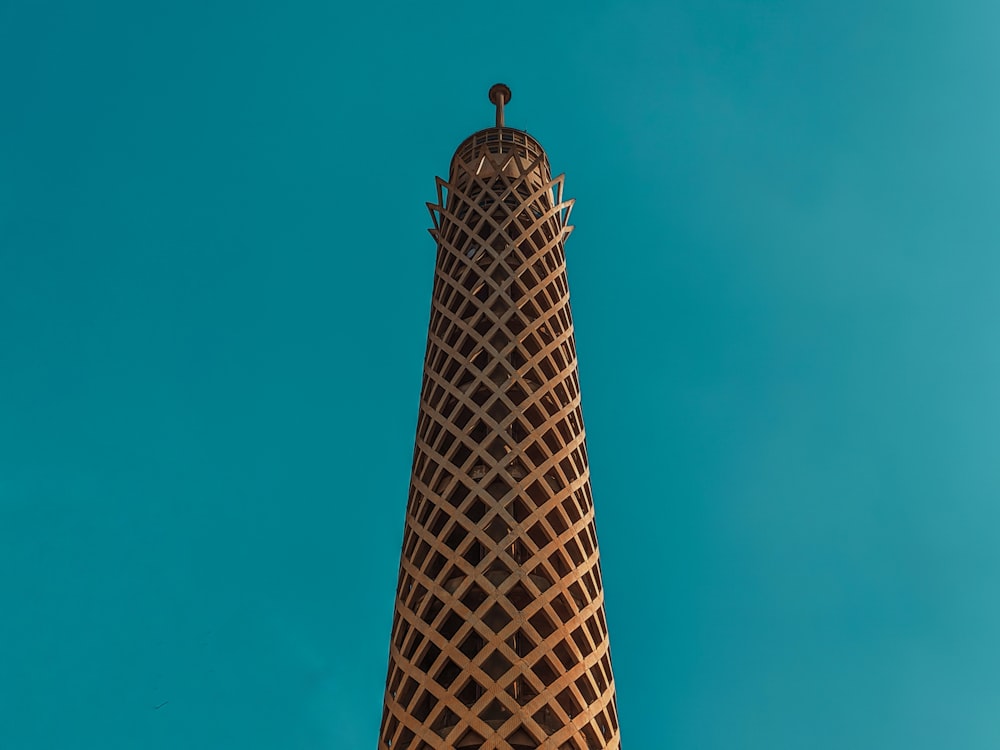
<point>499,638</point>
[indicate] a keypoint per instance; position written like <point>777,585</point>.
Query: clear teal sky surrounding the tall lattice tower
<point>214,286</point>
